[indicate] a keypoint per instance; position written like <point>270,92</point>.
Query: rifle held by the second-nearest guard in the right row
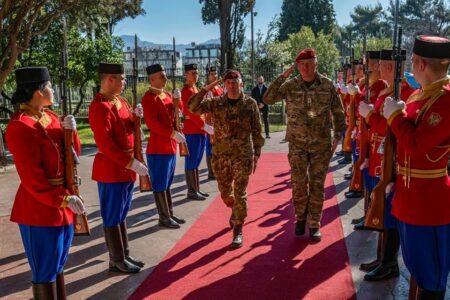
<point>357,182</point>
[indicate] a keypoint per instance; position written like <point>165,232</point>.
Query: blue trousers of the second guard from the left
<point>115,201</point>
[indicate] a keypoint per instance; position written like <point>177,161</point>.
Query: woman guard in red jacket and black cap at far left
<point>43,207</point>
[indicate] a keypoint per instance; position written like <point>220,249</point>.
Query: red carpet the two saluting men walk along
<point>272,264</point>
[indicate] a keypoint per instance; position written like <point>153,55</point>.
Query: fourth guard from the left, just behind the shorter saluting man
<point>195,130</point>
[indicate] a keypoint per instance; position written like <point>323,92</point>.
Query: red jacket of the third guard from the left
<point>159,117</point>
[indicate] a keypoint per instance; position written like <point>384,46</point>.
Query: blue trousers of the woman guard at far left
<point>47,249</point>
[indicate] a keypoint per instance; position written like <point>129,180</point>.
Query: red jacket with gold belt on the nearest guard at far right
<point>422,190</point>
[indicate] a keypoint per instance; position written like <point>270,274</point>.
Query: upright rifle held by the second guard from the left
<point>145,184</point>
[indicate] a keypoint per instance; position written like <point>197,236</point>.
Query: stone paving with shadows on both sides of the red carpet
<point>86,271</point>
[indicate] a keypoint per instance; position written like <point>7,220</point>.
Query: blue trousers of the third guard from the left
<point>161,168</point>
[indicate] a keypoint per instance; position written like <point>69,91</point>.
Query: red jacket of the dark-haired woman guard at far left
<point>36,142</point>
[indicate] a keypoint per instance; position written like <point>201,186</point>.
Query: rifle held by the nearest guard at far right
<point>375,214</point>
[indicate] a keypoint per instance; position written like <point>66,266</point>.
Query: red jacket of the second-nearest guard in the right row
<point>378,126</point>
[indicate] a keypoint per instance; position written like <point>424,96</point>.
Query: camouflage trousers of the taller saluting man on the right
<point>309,169</point>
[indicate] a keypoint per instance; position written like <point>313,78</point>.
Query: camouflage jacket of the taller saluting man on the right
<point>310,110</point>
